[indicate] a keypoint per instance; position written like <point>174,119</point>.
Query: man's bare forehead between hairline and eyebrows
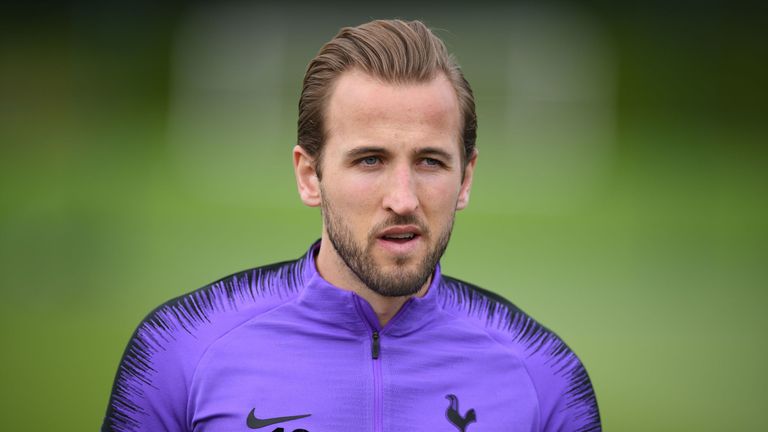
<point>363,105</point>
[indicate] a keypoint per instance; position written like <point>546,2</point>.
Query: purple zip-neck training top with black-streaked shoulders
<point>278,349</point>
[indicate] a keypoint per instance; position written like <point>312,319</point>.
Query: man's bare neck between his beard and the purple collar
<point>333,269</point>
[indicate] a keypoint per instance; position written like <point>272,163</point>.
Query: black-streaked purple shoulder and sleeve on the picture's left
<point>161,356</point>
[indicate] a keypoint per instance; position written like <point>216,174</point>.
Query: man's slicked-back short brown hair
<point>394,51</point>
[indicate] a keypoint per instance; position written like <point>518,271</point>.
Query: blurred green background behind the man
<point>620,196</point>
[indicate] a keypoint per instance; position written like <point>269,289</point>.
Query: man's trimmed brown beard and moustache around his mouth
<point>359,258</point>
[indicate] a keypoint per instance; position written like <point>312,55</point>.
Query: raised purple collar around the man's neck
<point>340,307</point>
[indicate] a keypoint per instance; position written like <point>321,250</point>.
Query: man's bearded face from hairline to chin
<point>391,179</point>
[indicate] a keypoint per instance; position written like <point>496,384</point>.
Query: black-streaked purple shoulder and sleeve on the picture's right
<point>566,397</point>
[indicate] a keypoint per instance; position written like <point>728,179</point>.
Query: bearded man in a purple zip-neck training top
<point>363,332</point>
